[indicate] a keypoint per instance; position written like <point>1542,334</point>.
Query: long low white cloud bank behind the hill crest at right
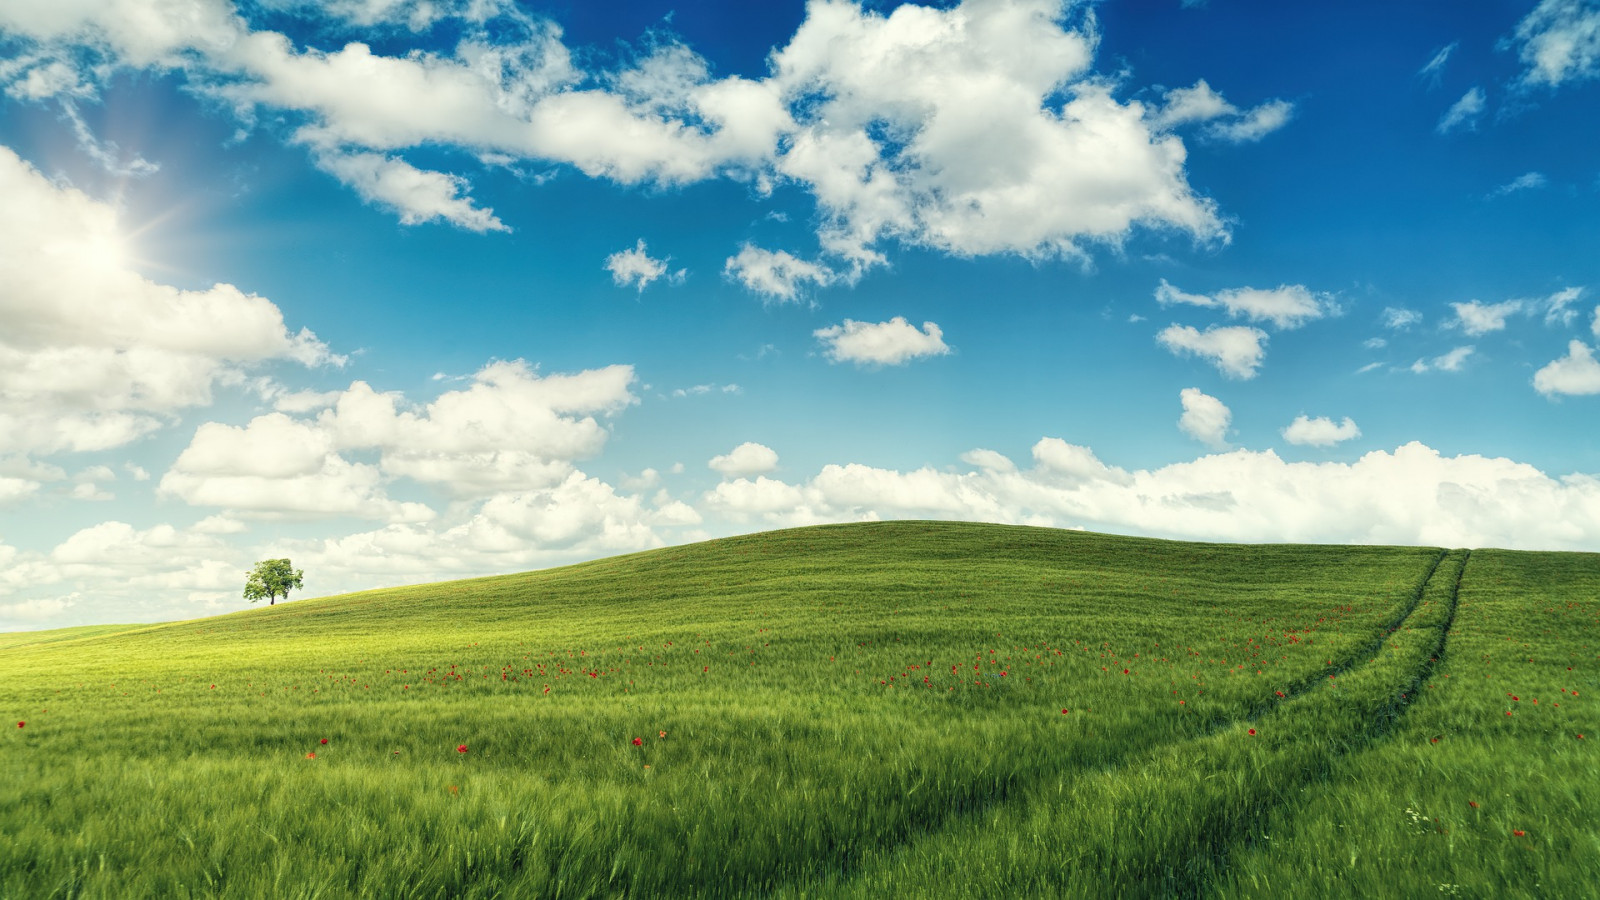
<point>1412,496</point>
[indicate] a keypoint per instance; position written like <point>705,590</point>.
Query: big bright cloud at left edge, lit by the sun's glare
<point>94,355</point>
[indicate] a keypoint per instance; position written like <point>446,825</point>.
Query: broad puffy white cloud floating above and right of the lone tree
<point>510,430</point>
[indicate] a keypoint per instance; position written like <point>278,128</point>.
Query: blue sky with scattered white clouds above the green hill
<point>410,291</point>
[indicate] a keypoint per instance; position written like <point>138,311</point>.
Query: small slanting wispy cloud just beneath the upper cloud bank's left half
<point>417,195</point>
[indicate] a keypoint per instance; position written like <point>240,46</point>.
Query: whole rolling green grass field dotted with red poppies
<point>910,709</point>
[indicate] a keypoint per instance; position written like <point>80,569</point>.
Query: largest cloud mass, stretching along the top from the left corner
<point>975,131</point>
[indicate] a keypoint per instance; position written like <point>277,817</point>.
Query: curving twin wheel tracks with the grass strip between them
<point>1162,822</point>
